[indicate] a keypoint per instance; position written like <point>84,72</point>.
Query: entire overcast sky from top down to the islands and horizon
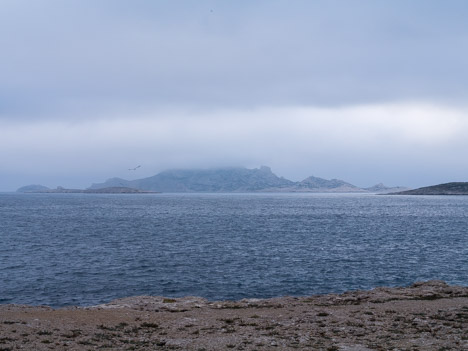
<point>367,91</point>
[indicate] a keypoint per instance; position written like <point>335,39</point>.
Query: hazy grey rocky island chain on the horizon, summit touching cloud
<point>221,180</point>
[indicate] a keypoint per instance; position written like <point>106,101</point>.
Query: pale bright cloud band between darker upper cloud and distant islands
<point>400,144</point>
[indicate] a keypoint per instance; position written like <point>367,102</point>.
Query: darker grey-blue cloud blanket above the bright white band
<point>78,57</point>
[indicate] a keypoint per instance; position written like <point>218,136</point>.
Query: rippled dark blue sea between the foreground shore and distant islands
<point>84,249</point>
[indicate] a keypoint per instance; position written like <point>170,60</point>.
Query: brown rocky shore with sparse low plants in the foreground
<point>424,316</point>
